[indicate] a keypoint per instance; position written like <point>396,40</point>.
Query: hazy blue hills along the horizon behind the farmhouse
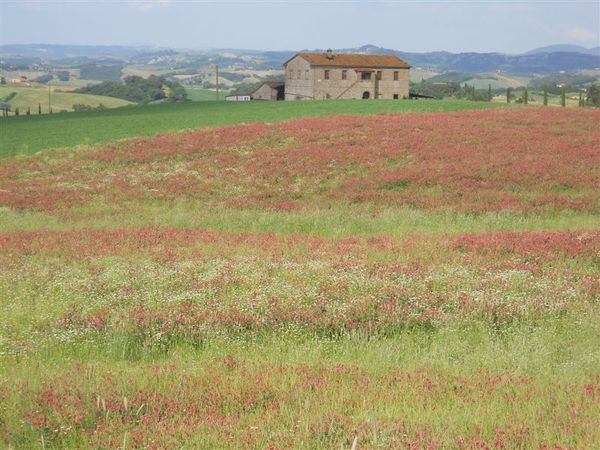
<point>545,60</point>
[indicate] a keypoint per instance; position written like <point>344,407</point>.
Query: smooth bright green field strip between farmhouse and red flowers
<point>23,135</point>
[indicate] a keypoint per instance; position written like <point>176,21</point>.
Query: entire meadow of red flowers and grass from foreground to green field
<point>425,280</point>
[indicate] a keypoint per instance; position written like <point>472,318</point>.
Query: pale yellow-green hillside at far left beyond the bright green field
<point>31,97</point>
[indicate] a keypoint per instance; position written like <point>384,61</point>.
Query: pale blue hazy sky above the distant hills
<point>415,26</point>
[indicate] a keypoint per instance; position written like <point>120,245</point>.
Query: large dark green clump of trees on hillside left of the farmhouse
<point>139,90</point>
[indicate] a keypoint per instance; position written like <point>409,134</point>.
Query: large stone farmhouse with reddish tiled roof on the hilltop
<point>345,76</point>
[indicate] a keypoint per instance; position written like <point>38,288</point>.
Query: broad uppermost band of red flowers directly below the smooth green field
<point>516,160</point>
